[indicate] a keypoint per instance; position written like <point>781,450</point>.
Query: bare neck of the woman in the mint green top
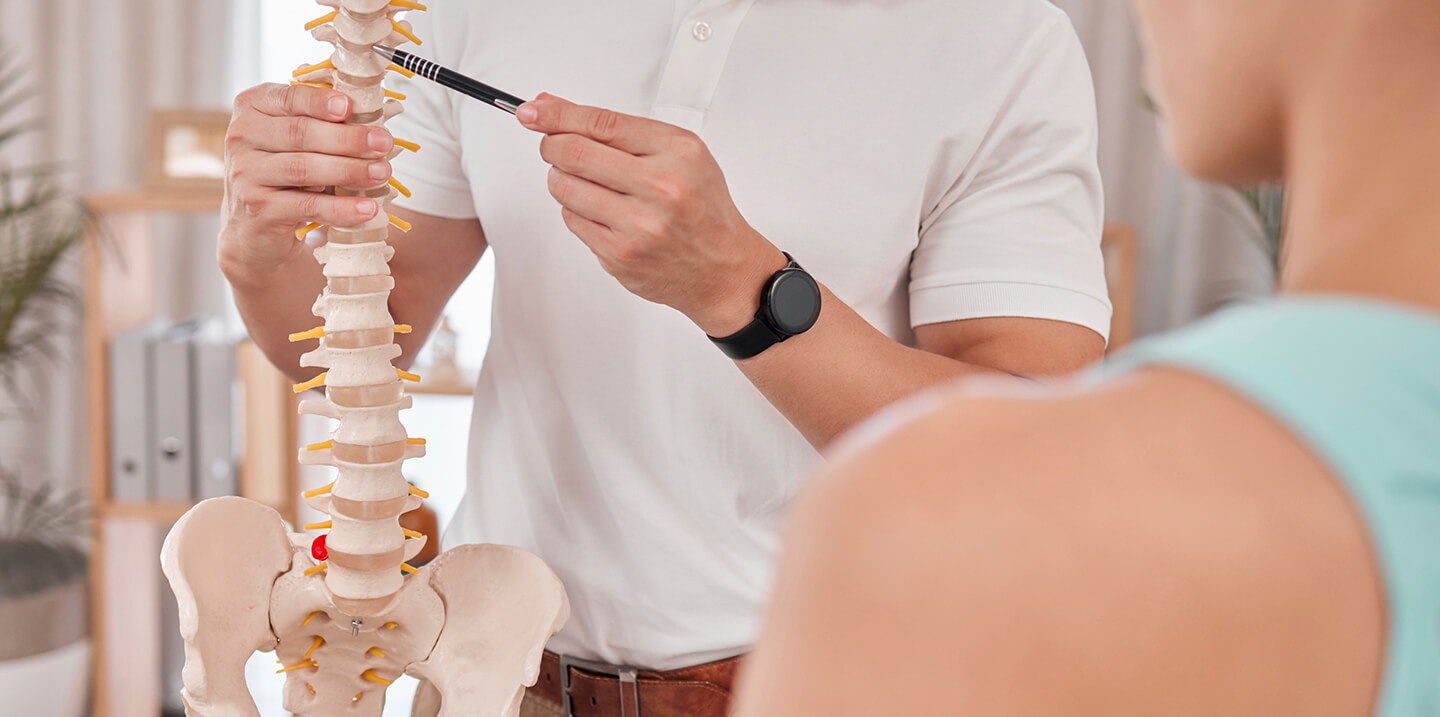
<point>1363,169</point>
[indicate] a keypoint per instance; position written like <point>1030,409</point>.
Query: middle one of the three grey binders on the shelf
<point>174,437</point>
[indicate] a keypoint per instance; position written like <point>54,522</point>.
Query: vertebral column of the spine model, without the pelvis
<point>365,551</point>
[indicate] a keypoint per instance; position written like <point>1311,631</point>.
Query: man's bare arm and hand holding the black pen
<point>653,205</point>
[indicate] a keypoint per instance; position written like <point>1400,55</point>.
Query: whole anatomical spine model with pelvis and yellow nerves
<point>343,610</point>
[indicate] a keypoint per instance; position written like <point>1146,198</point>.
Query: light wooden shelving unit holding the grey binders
<point>126,549</point>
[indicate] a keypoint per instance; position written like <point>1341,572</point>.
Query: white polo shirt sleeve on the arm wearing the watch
<point>1019,234</point>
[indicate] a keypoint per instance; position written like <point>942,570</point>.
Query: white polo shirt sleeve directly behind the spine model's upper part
<point>436,175</point>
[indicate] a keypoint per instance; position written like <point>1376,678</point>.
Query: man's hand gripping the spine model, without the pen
<point>283,148</point>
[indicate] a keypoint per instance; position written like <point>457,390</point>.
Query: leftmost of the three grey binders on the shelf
<point>130,466</point>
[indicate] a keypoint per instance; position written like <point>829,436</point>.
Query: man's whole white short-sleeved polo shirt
<point>928,161</point>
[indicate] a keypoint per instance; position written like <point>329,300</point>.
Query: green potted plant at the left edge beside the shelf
<point>44,647</point>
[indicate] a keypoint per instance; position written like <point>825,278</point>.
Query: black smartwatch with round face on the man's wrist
<point>790,306</point>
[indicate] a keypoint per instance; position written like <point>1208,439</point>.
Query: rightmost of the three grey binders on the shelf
<point>217,441</point>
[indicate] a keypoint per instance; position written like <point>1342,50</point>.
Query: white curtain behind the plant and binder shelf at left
<point>100,67</point>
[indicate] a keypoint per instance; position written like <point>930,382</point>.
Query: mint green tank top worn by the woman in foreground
<point>1360,384</point>
